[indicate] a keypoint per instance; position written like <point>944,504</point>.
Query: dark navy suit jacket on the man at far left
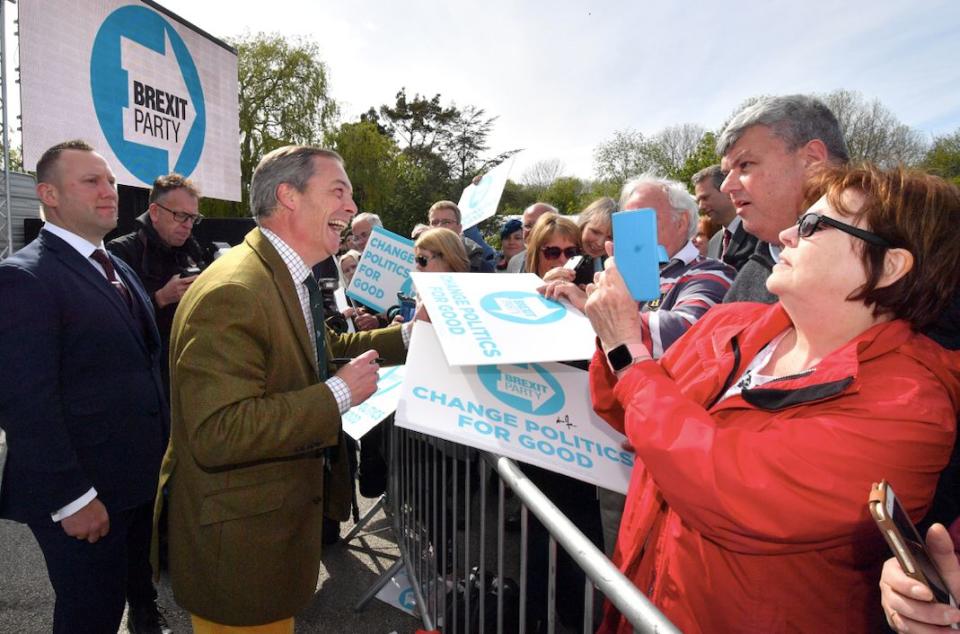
<point>81,398</point>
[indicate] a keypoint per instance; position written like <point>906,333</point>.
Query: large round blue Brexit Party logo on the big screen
<point>147,94</point>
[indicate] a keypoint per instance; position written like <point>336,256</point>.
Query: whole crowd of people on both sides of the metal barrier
<point>803,346</point>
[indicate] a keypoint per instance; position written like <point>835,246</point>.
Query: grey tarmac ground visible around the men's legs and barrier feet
<point>26,598</point>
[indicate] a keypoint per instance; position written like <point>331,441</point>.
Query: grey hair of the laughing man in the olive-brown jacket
<point>291,164</point>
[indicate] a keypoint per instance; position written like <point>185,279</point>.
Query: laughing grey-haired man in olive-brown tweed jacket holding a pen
<point>257,457</point>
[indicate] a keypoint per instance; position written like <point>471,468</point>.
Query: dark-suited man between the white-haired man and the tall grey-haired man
<point>733,245</point>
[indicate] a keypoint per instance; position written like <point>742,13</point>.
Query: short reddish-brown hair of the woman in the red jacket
<point>911,210</point>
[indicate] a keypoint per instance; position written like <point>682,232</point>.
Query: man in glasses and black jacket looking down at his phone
<point>163,252</point>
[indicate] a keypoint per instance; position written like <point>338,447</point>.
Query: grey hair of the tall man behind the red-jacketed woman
<point>797,119</point>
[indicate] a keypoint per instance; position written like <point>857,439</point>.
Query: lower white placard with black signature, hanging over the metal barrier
<point>534,413</point>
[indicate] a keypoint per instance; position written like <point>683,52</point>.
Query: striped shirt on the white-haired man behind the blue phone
<point>689,285</point>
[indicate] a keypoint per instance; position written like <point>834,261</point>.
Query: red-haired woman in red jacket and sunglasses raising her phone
<point>759,433</point>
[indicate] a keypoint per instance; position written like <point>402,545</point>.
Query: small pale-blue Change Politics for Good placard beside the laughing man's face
<point>383,270</point>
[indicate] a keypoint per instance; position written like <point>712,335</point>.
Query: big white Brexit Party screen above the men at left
<point>150,92</point>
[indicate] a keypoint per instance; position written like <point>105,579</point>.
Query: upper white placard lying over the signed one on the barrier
<point>482,319</point>
